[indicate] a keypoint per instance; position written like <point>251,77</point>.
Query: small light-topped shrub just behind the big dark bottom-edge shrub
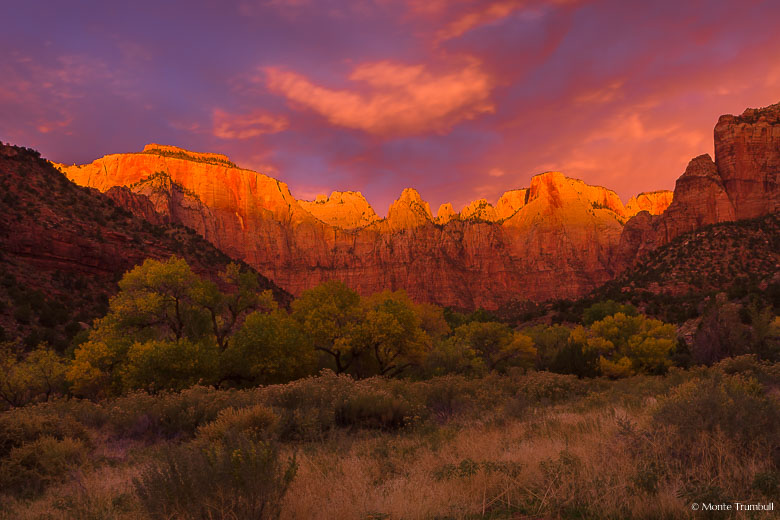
<point>257,422</point>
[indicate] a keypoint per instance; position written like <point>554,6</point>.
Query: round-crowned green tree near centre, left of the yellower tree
<point>329,315</point>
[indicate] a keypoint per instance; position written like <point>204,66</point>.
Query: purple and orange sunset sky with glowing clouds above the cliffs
<point>460,99</point>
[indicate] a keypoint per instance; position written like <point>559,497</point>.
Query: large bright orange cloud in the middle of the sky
<point>400,99</point>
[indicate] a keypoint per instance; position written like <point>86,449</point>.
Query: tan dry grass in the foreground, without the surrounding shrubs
<point>590,456</point>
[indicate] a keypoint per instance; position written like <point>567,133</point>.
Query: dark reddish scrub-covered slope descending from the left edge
<point>63,248</point>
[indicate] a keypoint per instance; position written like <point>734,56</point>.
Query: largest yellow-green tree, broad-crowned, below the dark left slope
<point>166,328</point>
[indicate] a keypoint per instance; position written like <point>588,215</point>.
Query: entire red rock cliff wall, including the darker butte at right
<point>558,238</point>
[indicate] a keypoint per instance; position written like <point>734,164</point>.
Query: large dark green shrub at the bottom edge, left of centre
<point>235,478</point>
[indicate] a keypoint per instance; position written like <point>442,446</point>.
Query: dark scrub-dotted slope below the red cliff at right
<point>675,282</point>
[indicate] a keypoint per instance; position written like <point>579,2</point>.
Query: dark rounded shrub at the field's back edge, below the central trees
<point>374,408</point>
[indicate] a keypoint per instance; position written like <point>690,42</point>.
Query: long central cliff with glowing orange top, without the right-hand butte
<point>546,241</point>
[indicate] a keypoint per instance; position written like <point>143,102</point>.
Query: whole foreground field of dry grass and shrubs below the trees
<point>522,445</point>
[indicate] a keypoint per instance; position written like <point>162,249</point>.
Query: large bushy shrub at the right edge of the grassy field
<point>736,405</point>
